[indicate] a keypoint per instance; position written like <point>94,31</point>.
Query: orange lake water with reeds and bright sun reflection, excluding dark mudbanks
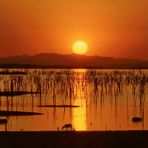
<point>107,99</point>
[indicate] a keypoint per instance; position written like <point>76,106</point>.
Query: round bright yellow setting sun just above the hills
<point>80,47</point>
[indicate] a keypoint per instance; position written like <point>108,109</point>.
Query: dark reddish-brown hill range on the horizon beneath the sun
<point>53,60</point>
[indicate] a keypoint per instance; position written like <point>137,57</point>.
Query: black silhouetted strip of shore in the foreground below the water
<point>74,139</point>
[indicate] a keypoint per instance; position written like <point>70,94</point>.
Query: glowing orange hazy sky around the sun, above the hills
<point>117,28</point>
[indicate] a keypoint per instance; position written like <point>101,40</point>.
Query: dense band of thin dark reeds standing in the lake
<point>71,83</point>
